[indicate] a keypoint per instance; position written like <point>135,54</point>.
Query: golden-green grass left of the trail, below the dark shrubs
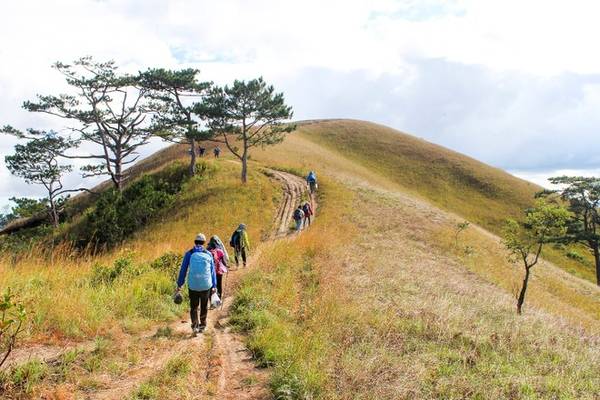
<point>62,301</point>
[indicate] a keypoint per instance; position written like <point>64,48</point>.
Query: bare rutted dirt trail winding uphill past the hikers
<point>231,373</point>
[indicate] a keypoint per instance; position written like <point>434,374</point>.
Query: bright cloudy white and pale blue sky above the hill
<point>515,84</point>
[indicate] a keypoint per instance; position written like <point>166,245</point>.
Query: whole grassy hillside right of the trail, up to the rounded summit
<point>379,302</point>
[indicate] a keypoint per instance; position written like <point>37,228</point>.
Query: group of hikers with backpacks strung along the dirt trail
<point>206,265</point>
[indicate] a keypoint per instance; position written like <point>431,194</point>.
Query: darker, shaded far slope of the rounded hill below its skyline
<point>450,180</point>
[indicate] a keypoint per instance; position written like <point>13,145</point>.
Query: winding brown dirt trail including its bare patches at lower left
<point>223,366</point>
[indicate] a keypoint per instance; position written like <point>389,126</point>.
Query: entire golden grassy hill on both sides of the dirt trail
<point>376,301</point>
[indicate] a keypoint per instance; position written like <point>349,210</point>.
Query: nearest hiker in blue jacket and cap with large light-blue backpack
<point>199,267</point>
